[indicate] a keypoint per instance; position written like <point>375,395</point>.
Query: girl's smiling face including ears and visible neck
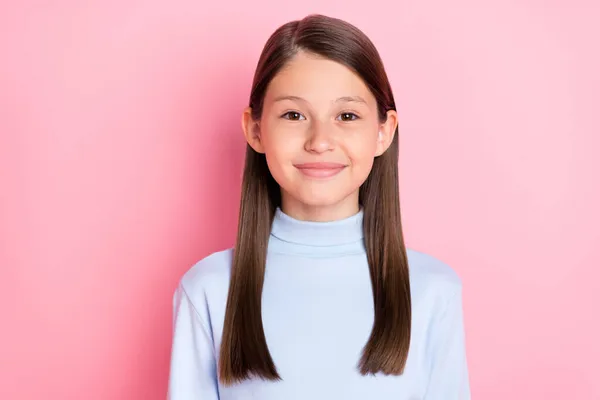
<point>320,132</point>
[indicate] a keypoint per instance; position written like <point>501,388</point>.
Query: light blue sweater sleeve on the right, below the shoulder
<point>449,377</point>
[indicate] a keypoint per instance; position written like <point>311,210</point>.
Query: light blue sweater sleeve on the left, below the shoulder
<point>193,371</point>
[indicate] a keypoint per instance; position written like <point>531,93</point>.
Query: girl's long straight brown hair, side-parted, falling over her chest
<point>244,352</point>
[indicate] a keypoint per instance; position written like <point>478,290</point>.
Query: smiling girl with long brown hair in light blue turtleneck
<point>319,298</point>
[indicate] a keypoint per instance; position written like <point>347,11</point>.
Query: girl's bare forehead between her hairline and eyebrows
<point>317,79</point>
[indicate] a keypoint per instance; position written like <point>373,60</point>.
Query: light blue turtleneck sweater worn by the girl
<point>317,310</point>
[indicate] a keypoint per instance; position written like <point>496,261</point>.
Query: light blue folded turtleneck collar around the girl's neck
<point>310,237</point>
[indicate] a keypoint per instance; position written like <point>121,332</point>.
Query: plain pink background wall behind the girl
<point>121,155</point>
